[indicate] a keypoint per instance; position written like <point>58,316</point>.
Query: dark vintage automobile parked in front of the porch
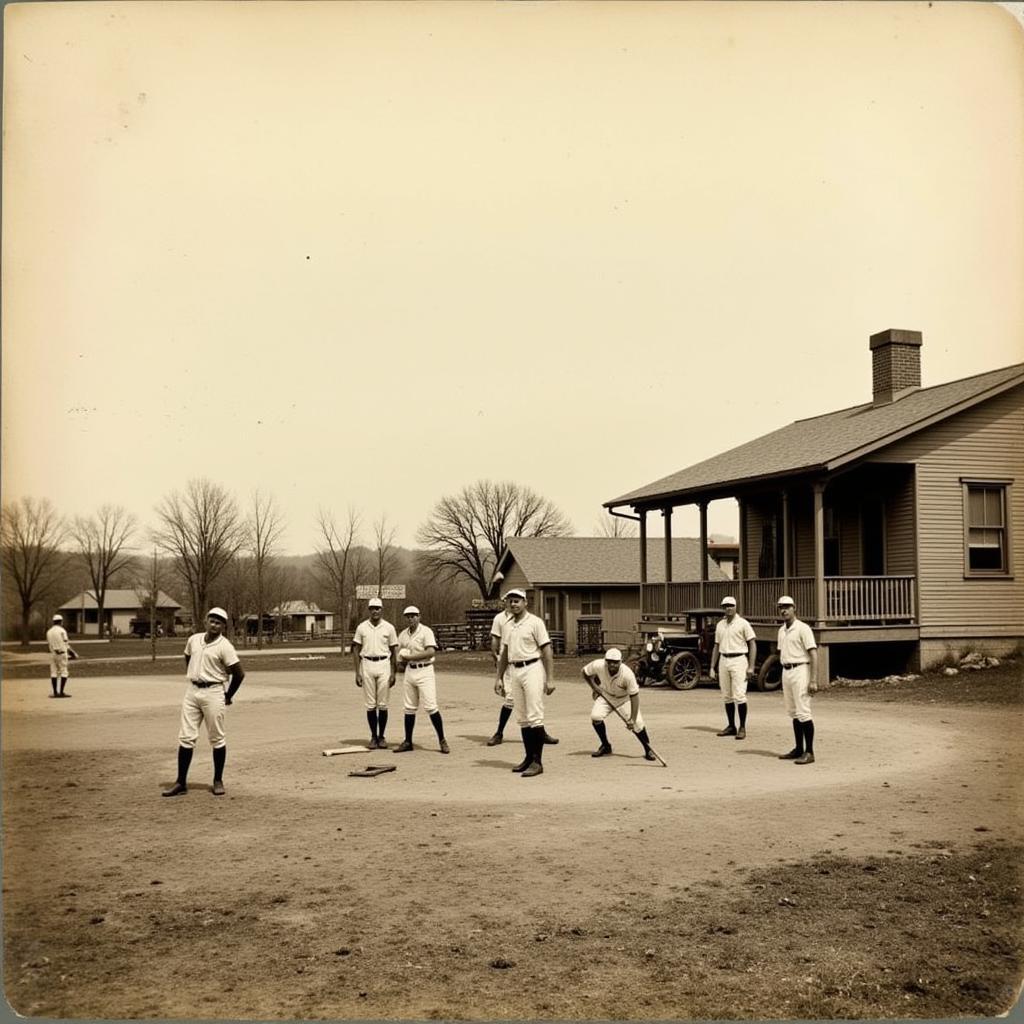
<point>680,657</point>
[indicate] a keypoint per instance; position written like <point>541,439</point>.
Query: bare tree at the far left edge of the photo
<point>31,533</point>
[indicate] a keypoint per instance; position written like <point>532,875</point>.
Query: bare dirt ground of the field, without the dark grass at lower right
<point>423,877</point>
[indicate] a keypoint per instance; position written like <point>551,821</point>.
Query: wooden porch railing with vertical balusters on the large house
<point>848,600</point>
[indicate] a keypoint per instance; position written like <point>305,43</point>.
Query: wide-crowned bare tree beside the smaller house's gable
<point>466,533</point>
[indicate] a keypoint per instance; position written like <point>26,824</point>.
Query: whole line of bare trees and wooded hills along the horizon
<point>209,549</point>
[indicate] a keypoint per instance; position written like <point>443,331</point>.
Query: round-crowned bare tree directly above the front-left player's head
<point>201,530</point>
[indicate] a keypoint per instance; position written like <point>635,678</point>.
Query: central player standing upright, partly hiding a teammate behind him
<point>527,653</point>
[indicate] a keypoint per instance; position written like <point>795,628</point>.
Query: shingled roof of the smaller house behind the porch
<point>592,562</point>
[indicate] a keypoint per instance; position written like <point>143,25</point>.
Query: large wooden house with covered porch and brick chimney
<point>895,525</point>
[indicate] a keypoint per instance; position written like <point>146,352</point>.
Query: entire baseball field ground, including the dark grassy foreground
<point>883,881</point>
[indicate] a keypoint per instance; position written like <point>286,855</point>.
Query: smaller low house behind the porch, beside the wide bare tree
<point>588,587</point>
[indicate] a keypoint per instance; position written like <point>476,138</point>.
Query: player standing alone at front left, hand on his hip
<point>211,664</point>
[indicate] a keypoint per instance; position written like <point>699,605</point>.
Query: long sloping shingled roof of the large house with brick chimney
<point>823,444</point>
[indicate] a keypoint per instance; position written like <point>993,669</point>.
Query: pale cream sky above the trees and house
<point>365,254</point>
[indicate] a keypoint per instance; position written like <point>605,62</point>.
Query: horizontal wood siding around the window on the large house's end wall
<point>983,443</point>
